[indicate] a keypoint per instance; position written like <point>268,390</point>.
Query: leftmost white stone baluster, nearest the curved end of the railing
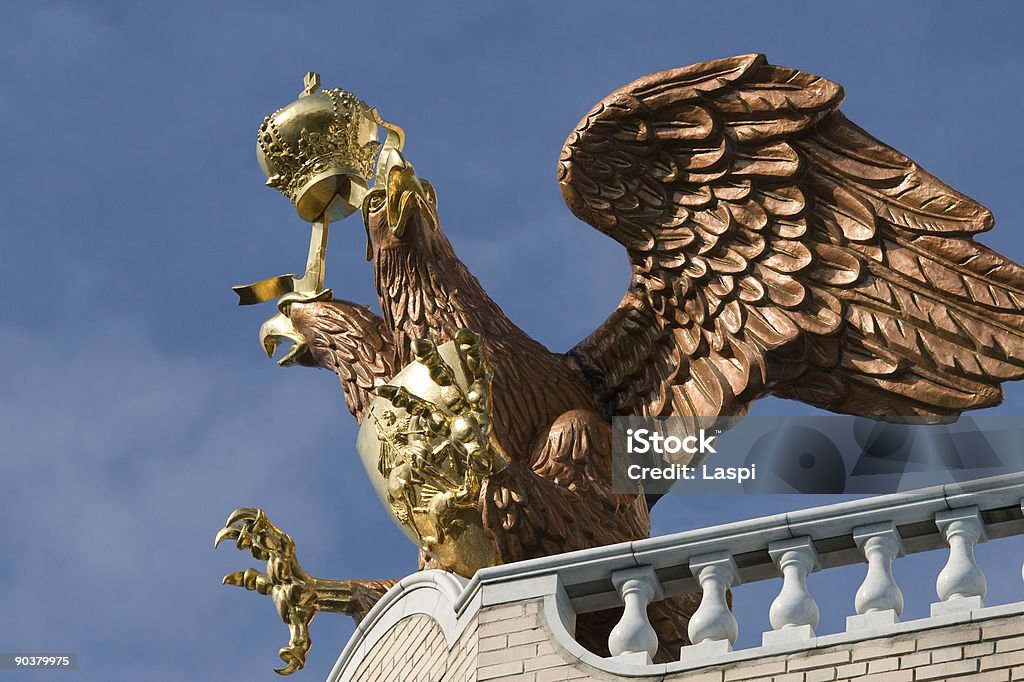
<point>634,638</point>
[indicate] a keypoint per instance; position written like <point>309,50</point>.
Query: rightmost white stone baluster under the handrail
<point>961,584</point>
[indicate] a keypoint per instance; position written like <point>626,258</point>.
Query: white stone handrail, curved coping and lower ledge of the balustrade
<point>581,582</point>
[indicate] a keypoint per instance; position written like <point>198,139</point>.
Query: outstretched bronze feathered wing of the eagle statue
<point>778,248</point>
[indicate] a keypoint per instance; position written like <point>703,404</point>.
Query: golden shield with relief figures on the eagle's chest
<point>426,446</point>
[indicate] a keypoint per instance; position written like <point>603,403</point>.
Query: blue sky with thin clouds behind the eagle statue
<point>138,409</point>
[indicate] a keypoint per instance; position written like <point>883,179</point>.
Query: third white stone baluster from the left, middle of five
<point>794,615</point>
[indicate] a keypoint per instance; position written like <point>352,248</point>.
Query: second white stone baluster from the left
<point>713,629</point>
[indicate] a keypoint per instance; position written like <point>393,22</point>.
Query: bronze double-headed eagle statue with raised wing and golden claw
<point>777,249</point>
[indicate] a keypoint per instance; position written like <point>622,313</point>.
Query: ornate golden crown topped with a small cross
<point>323,136</point>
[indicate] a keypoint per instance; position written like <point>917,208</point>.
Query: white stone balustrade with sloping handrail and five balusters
<point>874,531</point>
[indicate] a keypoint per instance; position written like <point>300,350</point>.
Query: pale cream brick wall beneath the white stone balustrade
<point>511,644</point>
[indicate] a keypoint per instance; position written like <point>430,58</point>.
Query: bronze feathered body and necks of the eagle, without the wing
<point>546,416</point>
